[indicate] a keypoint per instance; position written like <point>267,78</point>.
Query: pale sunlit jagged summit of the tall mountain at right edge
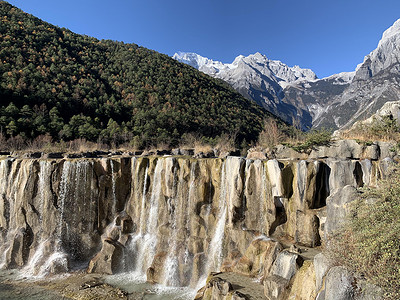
<point>384,56</point>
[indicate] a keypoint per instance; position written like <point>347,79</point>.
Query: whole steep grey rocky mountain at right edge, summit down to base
<point>376,81</point>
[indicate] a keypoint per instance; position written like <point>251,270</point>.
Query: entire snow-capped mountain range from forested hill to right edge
<point>298,96</point>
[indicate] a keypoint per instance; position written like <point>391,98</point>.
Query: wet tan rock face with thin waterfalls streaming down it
<point>172,219</point>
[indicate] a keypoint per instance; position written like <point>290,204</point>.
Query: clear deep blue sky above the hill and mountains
<point>327,36</point>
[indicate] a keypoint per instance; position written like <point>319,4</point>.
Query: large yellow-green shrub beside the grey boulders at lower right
<point>370,243</point>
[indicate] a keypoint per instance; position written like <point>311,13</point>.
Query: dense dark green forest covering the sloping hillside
<point>70,86</point>
